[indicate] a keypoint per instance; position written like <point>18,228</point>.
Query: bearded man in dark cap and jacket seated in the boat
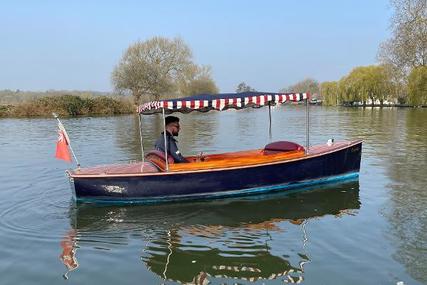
<point>172,129</point>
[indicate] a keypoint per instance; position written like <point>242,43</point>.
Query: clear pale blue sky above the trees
<point>269,45</point>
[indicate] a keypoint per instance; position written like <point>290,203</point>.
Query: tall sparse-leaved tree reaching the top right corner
<point>408,46</point>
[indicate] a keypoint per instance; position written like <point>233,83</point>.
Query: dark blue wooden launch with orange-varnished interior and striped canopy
<point>278,166</point>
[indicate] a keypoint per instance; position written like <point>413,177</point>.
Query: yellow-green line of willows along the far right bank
<point>372,84</point>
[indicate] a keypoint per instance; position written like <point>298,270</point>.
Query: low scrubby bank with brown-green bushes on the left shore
<point>68,105</point>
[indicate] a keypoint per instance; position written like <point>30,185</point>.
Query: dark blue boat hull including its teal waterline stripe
<point>326,167</point>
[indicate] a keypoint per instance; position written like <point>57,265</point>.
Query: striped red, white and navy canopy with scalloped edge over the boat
<point>219,102</point>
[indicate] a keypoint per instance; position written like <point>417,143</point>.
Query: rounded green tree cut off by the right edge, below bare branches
<point>417,86</point>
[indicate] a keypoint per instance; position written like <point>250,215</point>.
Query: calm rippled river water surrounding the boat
<point>369,231</point>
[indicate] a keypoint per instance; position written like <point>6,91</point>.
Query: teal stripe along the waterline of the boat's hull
<point>303,185</point>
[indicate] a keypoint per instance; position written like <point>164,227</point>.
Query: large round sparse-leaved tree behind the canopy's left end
<point>152,68</point>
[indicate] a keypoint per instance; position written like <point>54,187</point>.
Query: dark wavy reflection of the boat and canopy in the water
<point>247,239</point>
